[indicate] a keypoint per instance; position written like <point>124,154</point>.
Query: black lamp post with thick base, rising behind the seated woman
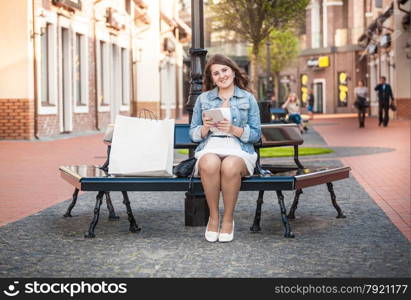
<point>196,208</point>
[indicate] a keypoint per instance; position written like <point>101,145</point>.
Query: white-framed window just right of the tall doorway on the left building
<point>80,70</point>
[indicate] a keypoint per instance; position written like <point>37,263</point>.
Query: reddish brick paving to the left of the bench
<point>30,180</point>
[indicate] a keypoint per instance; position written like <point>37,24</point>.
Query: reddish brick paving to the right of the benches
<point>385,176</point>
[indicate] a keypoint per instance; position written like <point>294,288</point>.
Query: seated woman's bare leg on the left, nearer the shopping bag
<point>209,169</point>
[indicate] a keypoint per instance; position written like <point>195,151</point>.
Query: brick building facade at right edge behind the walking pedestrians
<point>386,44</point>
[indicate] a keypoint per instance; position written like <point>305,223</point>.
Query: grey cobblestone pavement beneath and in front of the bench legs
<point>365,244</point>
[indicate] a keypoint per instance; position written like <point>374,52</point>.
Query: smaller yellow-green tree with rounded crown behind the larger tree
<point>283,51</point>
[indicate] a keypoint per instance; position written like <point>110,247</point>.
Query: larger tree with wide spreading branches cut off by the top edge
<point>255,20</point>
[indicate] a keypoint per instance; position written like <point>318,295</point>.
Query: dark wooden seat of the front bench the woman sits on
<point>92,178</point>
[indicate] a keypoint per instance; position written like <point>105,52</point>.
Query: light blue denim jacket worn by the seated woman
<point>244,113</point>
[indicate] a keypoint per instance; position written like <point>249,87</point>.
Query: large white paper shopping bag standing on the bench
<point>142,147</point>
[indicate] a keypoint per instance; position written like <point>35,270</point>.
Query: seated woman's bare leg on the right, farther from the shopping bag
<point>232,169</point>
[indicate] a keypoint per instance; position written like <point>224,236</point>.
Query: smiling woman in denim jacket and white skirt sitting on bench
<point>226,152</point>
